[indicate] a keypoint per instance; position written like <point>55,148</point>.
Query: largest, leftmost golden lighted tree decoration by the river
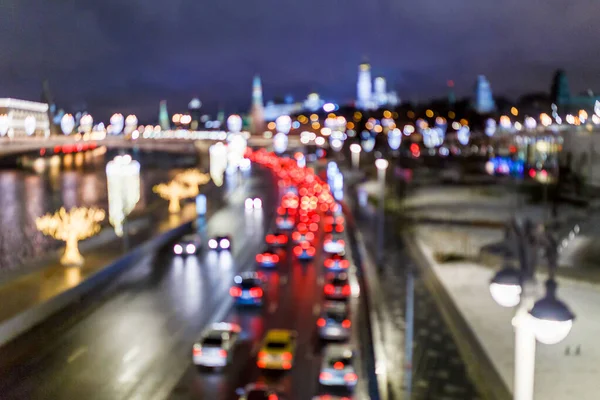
<point>71,226</point>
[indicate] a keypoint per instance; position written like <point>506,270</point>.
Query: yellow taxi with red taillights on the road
<point>278,349</point>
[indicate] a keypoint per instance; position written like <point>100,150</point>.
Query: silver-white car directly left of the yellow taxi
<point>216,345</point>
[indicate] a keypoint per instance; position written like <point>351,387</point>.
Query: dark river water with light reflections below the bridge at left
<point>69,181</point>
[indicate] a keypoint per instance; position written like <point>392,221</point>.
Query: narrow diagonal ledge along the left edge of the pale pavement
<point>480,367</point>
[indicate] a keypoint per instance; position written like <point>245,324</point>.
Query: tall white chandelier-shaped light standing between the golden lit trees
<point>123,184</point>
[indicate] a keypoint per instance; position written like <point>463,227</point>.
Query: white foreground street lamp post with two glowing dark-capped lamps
<point>548,319</point>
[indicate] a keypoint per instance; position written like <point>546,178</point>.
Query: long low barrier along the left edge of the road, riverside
<point>20,323</point>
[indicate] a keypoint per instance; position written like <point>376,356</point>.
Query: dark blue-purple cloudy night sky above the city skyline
<point>126,55</point>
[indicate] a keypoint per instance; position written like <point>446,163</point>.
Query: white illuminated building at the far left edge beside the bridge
<point>22,118</point>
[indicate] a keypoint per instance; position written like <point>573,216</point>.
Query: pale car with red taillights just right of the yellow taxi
<point>337,368</point>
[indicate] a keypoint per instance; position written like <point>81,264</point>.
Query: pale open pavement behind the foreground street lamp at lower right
<point>561,373</point>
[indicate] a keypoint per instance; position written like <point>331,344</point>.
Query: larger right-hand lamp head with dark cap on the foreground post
<point>551,318</point>
